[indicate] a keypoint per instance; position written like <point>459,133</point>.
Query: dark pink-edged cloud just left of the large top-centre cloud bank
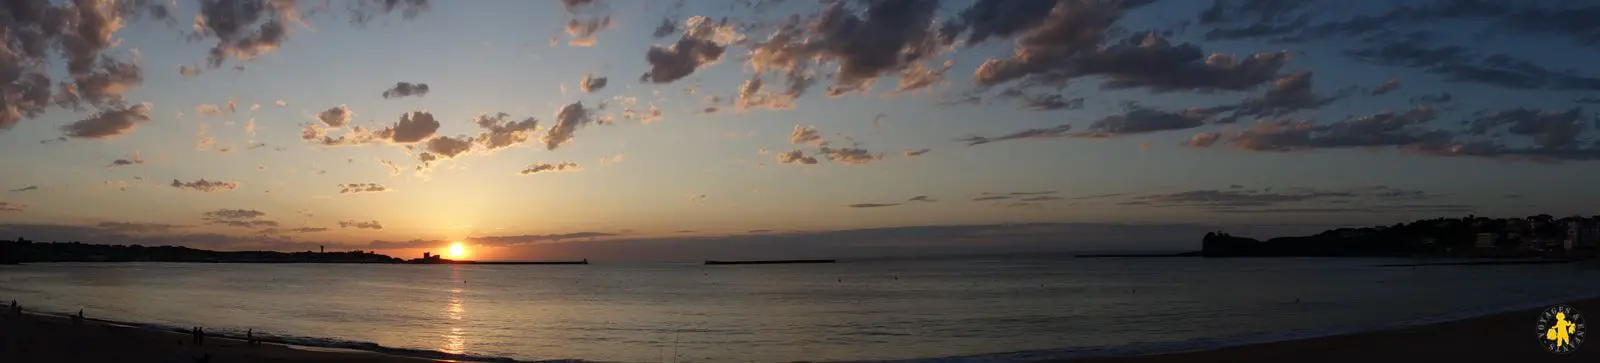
<point>703,44</point>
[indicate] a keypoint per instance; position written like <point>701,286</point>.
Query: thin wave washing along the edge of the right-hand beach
<point>1222,343</point>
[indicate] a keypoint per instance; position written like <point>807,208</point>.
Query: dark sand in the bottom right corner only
<point>1495,338</point>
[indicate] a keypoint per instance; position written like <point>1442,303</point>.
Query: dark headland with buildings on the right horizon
<point>1455,237</point>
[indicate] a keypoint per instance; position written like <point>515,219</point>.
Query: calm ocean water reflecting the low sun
<point>967,309</point>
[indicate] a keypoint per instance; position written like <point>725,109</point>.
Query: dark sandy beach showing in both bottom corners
<point>1495,338</point>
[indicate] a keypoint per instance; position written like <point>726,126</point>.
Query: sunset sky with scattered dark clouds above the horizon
<point>876,129</point>
